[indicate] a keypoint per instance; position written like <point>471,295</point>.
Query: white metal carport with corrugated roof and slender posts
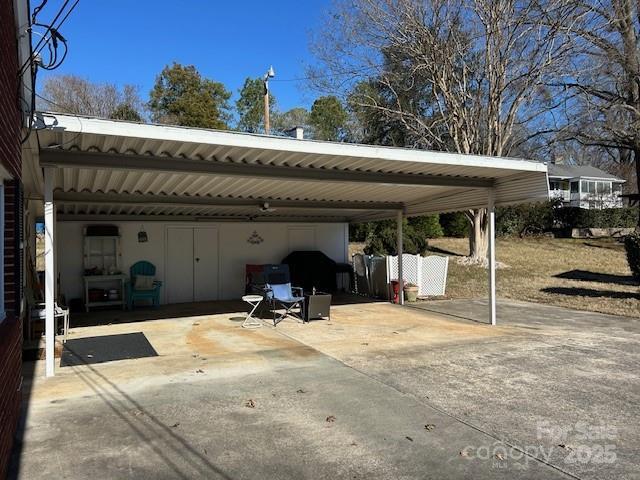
<point>87,169</point>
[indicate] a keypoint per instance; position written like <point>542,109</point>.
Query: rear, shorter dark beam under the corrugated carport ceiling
<point>186,201</point>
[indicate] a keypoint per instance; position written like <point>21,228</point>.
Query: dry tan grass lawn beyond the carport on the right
<point>581,274</point>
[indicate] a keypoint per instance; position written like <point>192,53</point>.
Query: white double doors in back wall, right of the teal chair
<point>192,264</point>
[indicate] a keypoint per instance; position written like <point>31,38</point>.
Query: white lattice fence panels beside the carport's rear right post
<point>428,273</point>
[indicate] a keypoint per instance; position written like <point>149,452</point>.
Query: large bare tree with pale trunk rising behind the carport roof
<point>470,76</point>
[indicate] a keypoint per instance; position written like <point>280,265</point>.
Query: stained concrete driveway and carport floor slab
<point>381,392</point>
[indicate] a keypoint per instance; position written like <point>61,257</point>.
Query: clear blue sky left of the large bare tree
<point>130,41</point>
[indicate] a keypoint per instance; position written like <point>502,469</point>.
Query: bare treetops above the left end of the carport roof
<point>73,94</point>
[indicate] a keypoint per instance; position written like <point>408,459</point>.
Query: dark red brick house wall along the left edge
<point>11,326</point>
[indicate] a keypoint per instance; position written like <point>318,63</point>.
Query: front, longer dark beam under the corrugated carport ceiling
<point>110,161</point>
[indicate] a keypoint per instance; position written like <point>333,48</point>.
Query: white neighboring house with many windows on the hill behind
<point>584,186</point>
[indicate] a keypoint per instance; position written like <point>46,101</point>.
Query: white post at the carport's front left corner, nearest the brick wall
<point>49,268</point>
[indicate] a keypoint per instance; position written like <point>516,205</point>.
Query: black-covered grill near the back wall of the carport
<point>312,269</point>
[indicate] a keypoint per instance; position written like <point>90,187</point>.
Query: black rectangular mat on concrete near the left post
<point>108,348</point>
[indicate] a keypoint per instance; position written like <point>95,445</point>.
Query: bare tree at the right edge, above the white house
<point>606,78</point>
